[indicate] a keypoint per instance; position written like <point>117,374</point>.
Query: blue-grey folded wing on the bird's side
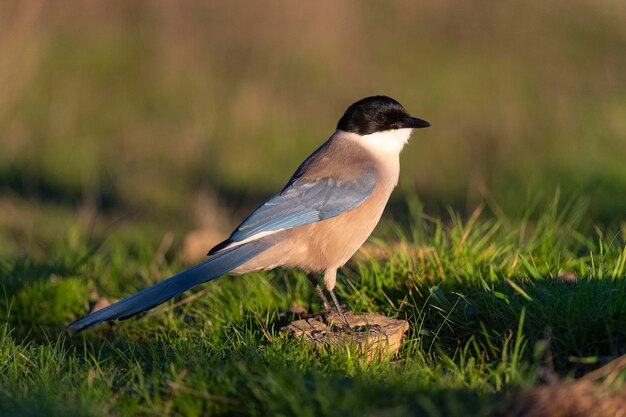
<point>304,201</point>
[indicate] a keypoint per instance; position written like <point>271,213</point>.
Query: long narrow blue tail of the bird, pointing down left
<point>148,298</point>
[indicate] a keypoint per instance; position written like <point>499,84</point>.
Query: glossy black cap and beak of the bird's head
<point>377,114</point>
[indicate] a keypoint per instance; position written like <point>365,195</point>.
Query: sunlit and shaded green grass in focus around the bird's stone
<point>484,308</point>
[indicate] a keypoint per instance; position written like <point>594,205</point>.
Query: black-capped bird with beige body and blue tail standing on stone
<point>320,218</point>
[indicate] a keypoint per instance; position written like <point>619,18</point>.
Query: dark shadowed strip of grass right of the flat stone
<point>579,325</point>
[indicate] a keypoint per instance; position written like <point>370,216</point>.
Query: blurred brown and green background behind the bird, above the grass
<point>186,114</point>
